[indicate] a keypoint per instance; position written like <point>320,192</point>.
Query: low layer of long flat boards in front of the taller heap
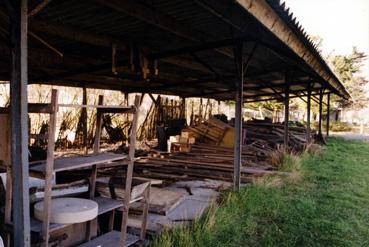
<point>205,161</point>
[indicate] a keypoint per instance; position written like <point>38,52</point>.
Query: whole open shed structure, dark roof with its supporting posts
<point>189,48</point>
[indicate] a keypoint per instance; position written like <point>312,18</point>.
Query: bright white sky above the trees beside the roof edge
<point>341,24</point>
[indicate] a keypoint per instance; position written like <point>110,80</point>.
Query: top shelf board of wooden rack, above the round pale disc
<point>80,162</point>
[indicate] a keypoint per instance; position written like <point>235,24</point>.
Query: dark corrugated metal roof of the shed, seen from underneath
<point>156,27</point>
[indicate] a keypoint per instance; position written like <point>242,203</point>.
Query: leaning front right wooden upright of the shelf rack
<point>131,157</point>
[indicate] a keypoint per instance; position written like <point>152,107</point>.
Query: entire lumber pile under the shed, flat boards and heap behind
<point>205,150</point>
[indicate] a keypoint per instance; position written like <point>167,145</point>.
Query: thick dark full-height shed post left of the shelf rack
<point>19,121</point>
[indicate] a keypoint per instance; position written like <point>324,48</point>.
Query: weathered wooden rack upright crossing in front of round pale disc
<point>49,167</point>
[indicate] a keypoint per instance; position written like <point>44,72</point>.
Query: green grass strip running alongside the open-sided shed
<point>327,205</point>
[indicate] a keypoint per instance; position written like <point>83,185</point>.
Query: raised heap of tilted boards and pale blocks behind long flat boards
<point>261,134</point>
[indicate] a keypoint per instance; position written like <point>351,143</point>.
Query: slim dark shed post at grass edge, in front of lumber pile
<point>238,53</point>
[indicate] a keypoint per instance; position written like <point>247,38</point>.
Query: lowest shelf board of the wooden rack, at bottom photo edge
<point>111,239</point>
